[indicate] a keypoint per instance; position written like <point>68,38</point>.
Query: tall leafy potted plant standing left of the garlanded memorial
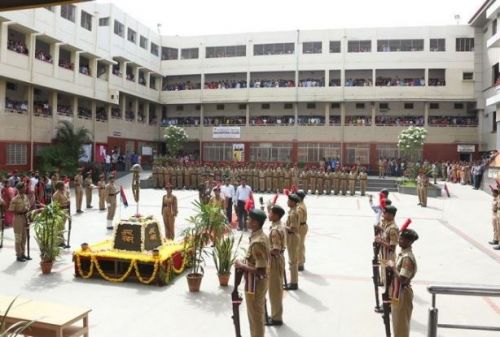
<point>49,227</point>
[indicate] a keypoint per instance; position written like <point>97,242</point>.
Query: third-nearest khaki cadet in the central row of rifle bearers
<point>293,241</point>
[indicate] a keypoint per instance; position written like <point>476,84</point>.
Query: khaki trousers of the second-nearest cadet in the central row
<point>276,270</point>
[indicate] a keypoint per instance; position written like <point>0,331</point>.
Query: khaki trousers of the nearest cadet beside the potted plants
<point>255,308</point>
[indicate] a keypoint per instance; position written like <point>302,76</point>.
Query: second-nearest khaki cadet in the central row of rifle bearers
<point>277,239</point>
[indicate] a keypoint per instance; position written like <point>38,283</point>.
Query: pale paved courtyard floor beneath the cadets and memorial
<point>336,291</point>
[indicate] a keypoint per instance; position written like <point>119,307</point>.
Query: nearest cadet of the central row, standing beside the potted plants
<point>255,266</point>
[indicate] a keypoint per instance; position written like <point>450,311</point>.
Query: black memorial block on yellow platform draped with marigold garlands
<point>137,252</point>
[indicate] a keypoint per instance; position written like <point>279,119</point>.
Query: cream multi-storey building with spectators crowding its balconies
<point>286,96</point>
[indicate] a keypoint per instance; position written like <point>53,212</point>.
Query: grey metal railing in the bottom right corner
<point>457,291</point>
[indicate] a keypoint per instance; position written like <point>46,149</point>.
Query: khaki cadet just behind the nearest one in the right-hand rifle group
<point>388,238</point>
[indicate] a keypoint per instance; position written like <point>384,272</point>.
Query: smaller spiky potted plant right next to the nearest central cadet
<point>224,255</point>
